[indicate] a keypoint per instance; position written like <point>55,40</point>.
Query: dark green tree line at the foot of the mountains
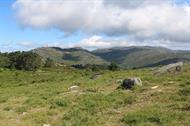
<point>31,61</point>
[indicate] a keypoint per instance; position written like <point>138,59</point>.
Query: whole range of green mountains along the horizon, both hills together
<point>126,57</point>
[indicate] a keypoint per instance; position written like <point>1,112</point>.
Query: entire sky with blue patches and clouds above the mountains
<point>91,24</point>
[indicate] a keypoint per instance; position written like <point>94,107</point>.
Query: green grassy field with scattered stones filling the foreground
<point>42,97</point>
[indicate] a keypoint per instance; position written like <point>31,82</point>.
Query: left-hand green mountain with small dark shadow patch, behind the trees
<point>70,55</point>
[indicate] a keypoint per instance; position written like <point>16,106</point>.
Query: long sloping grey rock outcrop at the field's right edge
<point>171,68</point>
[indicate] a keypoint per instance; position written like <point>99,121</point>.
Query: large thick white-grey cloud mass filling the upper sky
<point>147,20</point>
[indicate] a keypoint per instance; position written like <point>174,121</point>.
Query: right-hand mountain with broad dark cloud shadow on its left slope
<point>141,56</point>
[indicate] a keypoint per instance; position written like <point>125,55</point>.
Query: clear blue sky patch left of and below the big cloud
<point>15,37</point>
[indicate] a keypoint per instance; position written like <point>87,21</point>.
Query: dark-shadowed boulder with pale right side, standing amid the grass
<point>129,83</point>
